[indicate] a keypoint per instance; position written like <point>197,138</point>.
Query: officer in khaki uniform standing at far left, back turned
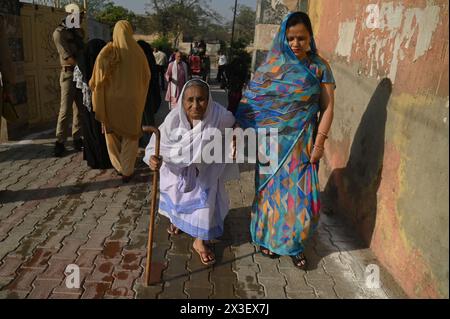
<point>69,44</point>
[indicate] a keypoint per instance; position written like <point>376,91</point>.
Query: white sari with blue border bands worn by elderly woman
<point>193,194</point>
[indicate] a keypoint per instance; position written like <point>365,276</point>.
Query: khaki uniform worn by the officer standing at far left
<point>71,97</point>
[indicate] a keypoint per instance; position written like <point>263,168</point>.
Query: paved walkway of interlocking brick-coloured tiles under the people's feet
<point>56,212</point>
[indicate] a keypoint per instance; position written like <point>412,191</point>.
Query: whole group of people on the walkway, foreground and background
<point>114,89</point>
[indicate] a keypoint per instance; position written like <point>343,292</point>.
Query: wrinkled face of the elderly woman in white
<point>195,103</point>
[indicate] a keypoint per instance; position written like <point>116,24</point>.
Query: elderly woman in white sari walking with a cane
<point>193,194</point>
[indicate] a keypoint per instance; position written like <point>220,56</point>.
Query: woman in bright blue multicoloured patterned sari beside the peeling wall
<point>292,91</point>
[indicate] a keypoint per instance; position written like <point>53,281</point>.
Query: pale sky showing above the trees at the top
<point>221,6</point>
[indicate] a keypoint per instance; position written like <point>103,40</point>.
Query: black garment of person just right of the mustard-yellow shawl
<point>154,93</point>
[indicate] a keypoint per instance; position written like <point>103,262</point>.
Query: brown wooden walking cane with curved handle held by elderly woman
<point>148,267</point>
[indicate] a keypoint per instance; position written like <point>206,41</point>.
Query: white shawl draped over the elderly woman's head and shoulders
<point>181,145</point>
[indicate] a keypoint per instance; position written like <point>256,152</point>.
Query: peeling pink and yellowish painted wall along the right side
<point>386,167</point>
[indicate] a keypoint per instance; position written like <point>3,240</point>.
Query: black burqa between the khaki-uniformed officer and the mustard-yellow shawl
<point>95,151</point>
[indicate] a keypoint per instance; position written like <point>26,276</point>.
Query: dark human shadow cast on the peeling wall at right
<point>352,191</point>
